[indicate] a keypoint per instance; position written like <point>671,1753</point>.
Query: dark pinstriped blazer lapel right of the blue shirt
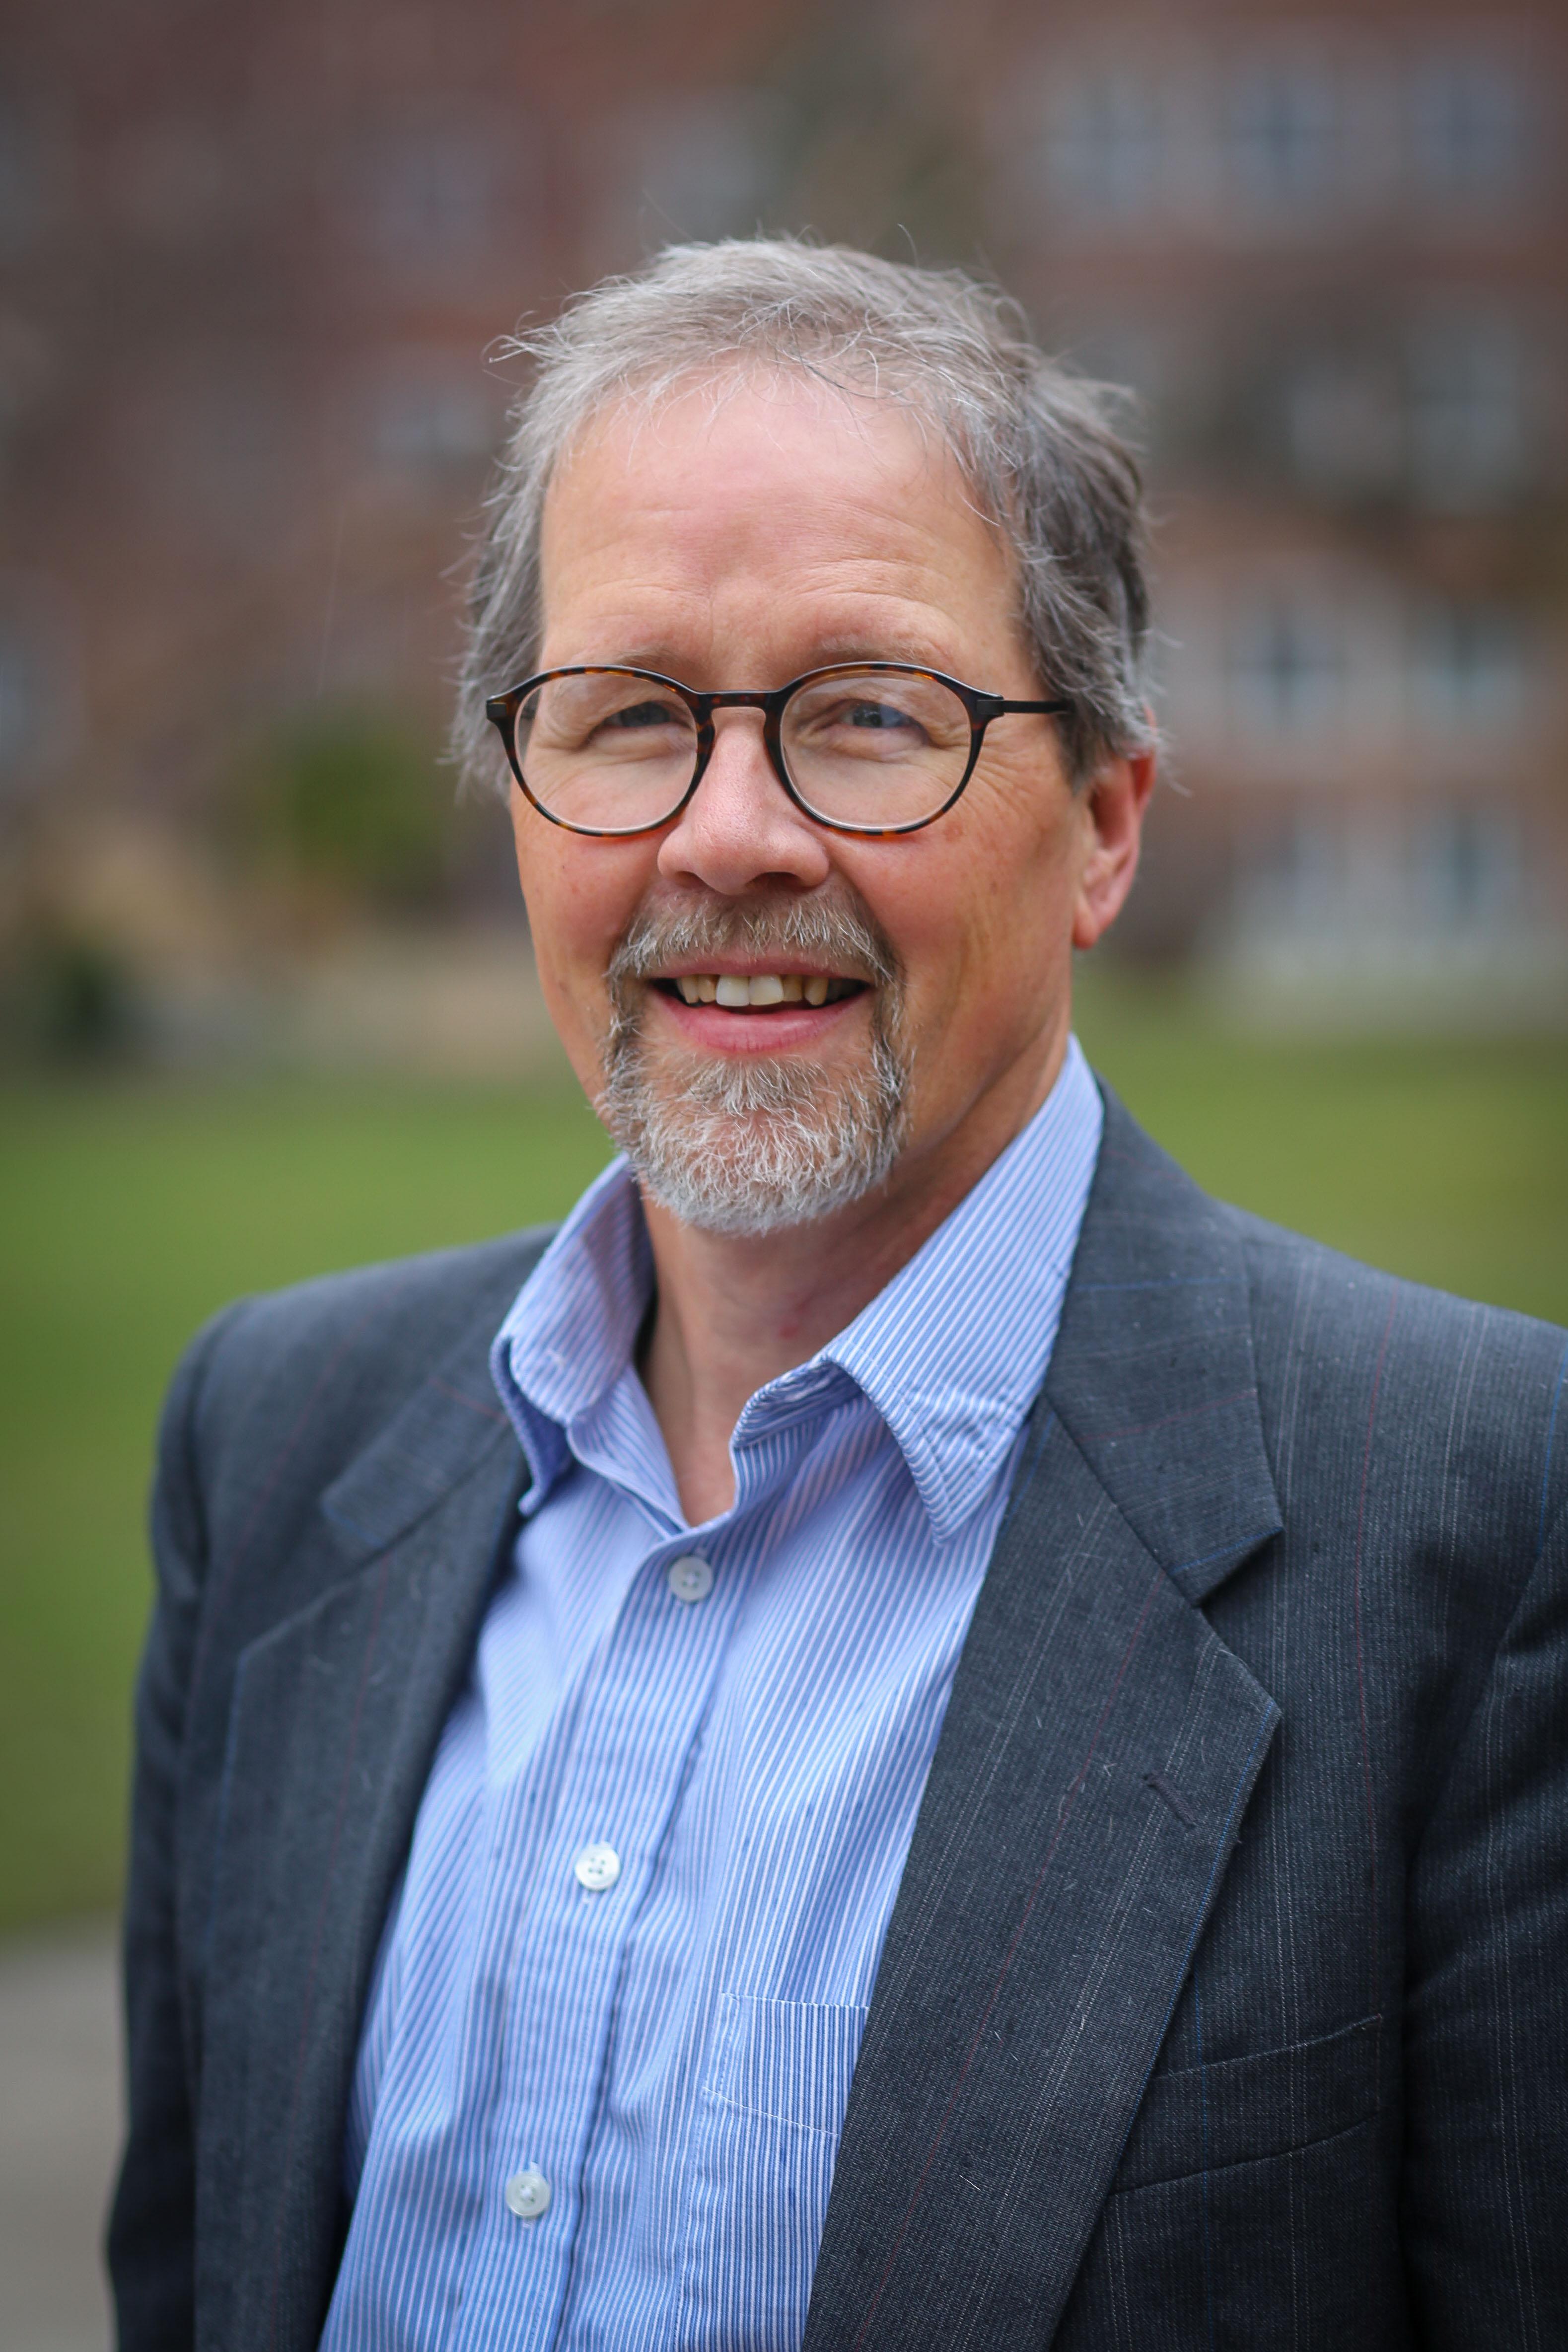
<point>1094,1765</point>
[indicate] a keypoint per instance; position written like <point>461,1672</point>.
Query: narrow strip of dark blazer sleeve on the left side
<point>152,2231</point>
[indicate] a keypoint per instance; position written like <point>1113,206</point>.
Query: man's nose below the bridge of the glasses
<point>742,829</point>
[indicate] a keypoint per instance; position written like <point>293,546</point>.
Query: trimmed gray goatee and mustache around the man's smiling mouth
<point>763,1144</point>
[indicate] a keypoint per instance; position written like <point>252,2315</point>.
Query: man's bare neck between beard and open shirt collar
<point>737,1311</point>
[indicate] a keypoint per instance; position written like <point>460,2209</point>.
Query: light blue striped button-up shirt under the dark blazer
<point>622,1991</point>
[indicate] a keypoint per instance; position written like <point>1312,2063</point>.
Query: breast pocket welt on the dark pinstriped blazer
<point>1245,2109</point>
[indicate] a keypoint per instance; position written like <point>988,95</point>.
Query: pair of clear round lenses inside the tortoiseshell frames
<point>871,749</point>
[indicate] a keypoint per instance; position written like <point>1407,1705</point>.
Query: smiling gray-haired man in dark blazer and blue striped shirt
<point>909,1735</point>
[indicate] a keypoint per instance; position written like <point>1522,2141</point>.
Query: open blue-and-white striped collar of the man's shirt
<point>951,1354</point>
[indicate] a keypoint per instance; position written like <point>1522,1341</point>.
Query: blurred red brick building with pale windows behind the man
<point>255,258</point>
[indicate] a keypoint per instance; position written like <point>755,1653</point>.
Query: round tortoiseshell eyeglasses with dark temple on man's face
<point>871,747</point>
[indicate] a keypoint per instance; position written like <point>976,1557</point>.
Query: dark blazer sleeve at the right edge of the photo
<point>1487,2014</point>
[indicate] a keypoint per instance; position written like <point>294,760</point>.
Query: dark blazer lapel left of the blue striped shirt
<point>335,1723</point>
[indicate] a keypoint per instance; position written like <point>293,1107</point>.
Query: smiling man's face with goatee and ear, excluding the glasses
<point>742,542</point>
